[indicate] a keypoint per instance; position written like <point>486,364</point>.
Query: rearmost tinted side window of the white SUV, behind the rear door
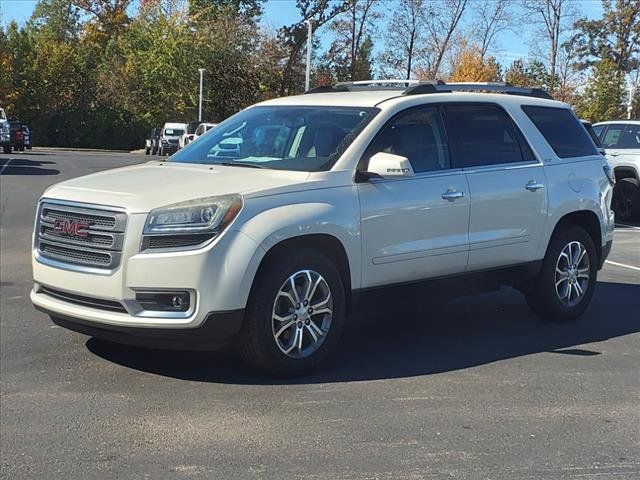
<point>562,130</point>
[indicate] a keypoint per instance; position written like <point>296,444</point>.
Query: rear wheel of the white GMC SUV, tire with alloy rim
<point>544,297</point>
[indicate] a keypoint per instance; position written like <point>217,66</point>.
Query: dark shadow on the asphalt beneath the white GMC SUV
<point>417,340</point>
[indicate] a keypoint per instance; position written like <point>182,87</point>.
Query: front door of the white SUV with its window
<point>414,228</point>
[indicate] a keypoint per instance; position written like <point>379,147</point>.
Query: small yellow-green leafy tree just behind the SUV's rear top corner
<point>602,96</point>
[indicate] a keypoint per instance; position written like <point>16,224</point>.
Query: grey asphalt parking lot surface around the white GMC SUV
<point>472,388</point>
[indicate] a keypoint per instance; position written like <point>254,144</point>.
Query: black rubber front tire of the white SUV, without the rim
<point>257,345</point>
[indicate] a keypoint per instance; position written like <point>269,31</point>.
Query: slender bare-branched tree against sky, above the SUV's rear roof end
<point>552,16</point>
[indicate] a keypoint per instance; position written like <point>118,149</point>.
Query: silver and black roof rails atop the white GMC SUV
<point>421,87</point>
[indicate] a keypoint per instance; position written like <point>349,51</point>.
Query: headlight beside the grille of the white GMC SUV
<point>202,216</point>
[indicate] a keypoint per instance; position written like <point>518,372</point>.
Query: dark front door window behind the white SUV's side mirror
<point>418,134</point>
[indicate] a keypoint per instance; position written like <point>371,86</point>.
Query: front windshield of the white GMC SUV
<point>305,139</point>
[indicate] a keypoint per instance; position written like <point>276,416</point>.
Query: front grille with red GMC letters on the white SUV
<point>80,236</point>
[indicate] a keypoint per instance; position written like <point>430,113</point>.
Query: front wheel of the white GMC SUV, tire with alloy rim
<point>257,343</point>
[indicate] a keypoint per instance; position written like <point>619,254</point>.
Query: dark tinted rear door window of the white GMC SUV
<point>481,135</point>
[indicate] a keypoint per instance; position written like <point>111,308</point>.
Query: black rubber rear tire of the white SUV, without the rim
<point>542,296</point>
